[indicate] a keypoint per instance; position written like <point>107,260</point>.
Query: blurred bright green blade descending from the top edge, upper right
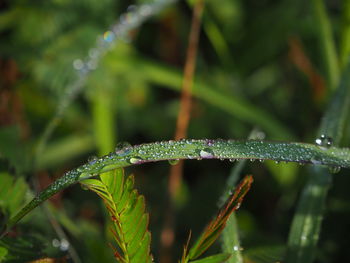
<point>327,43</point>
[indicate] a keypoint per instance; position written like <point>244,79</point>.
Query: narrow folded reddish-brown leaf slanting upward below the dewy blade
<point>215,227</point>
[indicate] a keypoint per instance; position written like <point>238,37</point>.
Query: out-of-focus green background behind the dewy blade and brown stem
<point>260,64</point>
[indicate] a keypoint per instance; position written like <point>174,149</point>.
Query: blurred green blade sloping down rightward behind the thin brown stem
<point>170,78</point>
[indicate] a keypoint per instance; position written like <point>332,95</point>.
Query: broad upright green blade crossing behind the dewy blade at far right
<point>306,225</point>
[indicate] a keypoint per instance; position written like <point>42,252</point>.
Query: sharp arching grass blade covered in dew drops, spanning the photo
<point>193,149</point>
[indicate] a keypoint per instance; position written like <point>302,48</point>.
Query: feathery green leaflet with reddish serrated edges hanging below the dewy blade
<point>127,211</point>
